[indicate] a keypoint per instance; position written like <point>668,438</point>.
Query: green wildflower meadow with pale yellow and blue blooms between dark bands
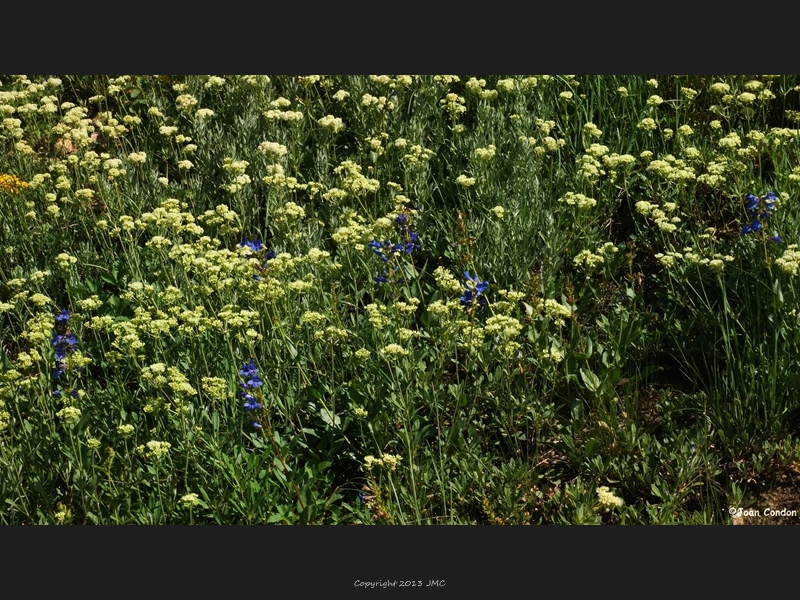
<point>399,299</point>
